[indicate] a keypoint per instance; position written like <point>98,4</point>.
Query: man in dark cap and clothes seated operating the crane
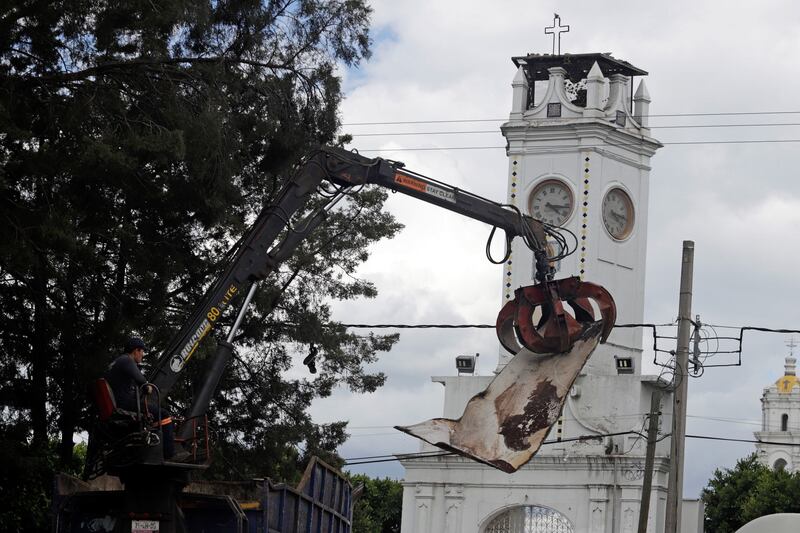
<point>124,377</point>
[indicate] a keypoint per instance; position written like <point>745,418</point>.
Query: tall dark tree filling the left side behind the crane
<point>137,139</point>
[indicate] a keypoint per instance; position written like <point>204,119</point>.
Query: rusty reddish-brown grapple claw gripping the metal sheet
<point>556,330</point>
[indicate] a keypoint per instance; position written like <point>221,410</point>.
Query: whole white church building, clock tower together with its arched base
<point>579,151</point>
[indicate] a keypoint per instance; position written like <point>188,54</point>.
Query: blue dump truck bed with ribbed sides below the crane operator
<point>321,503</point>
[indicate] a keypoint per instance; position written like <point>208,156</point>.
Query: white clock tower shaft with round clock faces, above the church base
<point>579,151</point>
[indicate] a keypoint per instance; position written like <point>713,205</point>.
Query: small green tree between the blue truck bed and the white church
<point>380,506</point>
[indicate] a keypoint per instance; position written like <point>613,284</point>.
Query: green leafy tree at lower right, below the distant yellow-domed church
<point>734,497</point>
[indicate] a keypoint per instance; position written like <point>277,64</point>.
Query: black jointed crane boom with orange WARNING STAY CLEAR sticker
<point>258,253</point>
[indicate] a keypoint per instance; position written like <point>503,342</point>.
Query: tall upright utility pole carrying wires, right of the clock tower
<point>678,441</point>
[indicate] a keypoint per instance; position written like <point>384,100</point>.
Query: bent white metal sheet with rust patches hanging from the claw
<point>505,425</point>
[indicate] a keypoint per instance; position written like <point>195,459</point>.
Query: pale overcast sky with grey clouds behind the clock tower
<point>740,203</point>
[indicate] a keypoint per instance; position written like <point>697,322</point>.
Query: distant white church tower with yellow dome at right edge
<point>780,421</point>
